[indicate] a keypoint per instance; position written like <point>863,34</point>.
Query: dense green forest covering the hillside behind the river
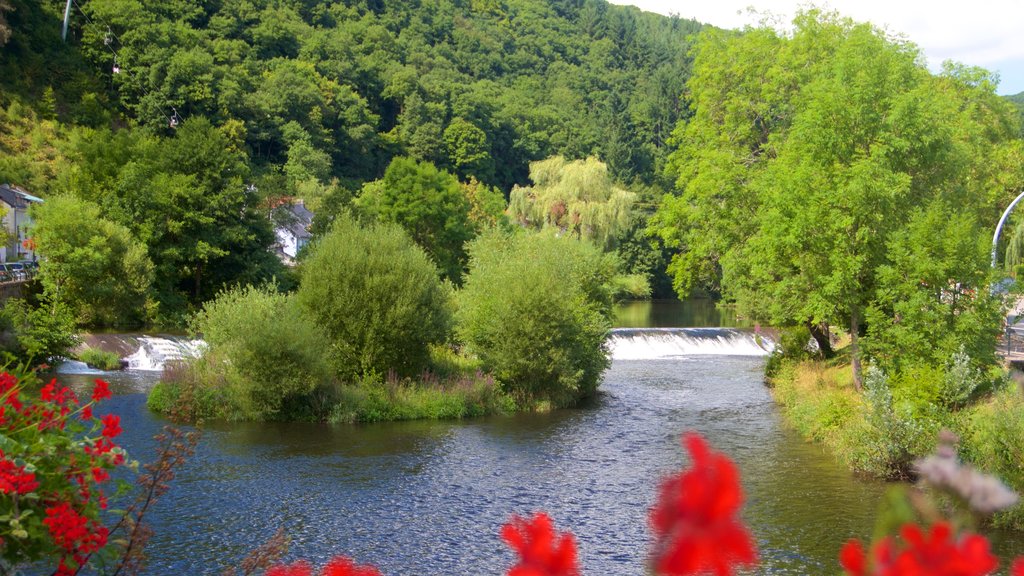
<point>185,121</point>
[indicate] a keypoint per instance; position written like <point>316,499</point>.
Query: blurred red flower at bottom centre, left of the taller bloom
<point>542,551</point>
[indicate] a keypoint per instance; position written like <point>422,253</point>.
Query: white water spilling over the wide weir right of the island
<point>653,344</point>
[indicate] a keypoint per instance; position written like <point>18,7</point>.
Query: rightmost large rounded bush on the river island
<point>536,311</point>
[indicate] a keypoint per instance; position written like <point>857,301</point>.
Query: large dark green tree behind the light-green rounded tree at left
<point>186,199</point>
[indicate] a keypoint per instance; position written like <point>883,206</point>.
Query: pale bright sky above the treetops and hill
<point>986,33</point>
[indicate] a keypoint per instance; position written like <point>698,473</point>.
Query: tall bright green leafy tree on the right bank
<point>808,152</point>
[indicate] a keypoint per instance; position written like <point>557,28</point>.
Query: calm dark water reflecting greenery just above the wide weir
<point>695,313</point>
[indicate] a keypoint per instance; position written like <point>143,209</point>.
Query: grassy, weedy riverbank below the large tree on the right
<point>880,432</point>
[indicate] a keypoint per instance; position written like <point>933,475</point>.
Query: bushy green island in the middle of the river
<point>371,334</point>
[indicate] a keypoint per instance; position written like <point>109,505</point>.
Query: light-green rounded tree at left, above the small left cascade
<point>91,264</point>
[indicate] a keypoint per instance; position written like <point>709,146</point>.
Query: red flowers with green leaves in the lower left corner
<point>74,465</point>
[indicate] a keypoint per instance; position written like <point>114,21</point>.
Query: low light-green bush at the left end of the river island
<point>268,351</point>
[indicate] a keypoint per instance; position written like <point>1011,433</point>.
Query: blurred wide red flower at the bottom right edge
<point>935,554</point>
